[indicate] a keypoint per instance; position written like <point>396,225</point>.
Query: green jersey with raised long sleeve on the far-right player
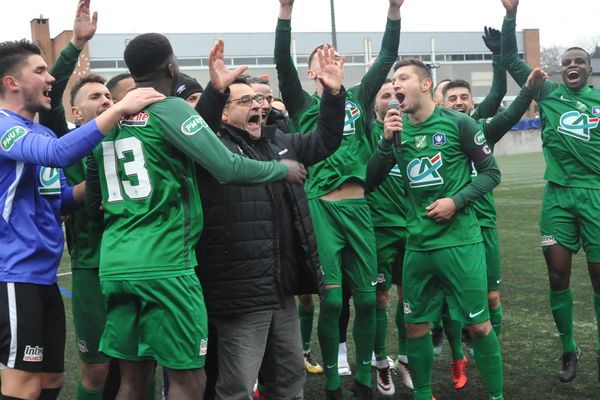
<point>570,122</point>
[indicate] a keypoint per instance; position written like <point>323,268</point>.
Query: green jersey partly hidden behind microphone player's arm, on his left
<point>388,201</point>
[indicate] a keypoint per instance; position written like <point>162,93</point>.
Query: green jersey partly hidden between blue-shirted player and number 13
<point>83,233</point>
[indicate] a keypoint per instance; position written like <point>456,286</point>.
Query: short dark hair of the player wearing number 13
<point>147,54</point>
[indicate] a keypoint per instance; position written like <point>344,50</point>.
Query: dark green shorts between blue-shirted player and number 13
<point>89,314</point>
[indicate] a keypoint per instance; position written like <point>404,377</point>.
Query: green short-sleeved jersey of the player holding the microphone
<point>436,163</point>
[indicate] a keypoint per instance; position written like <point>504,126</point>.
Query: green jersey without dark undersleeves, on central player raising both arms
<point>349,160</point>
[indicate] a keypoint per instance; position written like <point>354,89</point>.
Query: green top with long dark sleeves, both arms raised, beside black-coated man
<point>349,161</point>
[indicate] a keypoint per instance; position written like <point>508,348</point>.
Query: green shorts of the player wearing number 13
<point>163,319</point>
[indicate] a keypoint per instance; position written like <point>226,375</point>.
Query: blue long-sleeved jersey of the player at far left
<point>34,193</point>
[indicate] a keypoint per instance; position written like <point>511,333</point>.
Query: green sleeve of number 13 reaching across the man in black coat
<point>186,130</point>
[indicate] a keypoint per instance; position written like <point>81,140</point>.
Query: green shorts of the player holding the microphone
<point>454,274</point>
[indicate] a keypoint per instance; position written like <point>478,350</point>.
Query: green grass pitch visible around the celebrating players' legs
<point>530,344</point>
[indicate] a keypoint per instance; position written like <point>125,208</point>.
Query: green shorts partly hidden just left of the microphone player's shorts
<point>391,246</point>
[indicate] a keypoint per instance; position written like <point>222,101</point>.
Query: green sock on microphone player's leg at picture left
<point>420,360</point>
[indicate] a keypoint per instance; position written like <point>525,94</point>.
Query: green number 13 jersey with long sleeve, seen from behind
<point>152,210</point>
